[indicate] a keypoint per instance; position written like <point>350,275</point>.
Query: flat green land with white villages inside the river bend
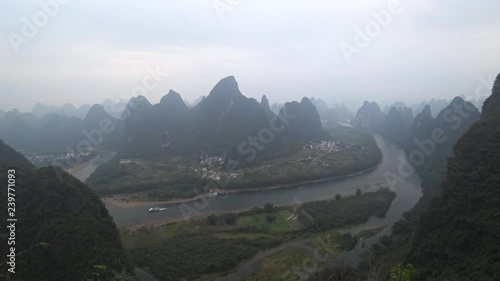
<point>164,178</point>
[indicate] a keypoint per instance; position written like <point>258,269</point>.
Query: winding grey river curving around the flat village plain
<point>408,193</point>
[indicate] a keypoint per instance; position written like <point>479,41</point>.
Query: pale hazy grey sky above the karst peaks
<point>91,50</point>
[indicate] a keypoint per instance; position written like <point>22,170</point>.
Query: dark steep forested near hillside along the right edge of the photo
<point>458,237</point>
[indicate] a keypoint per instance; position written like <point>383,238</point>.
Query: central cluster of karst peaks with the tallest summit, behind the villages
<point>222,121</point>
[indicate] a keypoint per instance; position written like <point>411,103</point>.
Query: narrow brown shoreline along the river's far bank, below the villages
<point>121,201</point>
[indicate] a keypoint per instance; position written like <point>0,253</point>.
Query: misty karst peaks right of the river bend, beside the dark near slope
<point>428,141</point>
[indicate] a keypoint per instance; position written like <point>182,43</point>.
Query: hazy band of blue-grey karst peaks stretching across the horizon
<point>224,117</point>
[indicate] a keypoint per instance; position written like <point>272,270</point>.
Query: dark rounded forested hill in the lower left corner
<point>63,225</point>
